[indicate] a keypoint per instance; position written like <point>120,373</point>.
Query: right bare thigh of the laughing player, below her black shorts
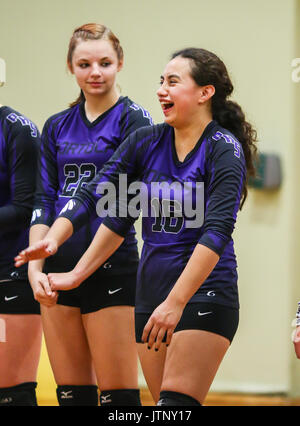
<point>192,361</point>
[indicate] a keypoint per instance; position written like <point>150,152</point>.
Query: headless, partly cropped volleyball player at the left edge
<point>20,321</point>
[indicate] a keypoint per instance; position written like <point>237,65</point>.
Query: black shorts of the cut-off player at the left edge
<point>16,297</point>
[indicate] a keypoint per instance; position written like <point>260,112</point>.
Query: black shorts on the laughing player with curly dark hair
<point>211,317</point>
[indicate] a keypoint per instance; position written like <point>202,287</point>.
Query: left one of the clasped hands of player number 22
<point>41,289</point>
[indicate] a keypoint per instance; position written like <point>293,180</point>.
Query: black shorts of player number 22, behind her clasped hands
<point>98,292</point>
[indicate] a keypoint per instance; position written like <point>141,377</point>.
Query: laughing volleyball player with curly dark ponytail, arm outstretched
<point>187,305</point>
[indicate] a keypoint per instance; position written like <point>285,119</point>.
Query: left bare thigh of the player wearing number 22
<point>67,345</point>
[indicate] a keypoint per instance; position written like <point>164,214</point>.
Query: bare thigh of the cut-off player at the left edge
<point>20,346</point>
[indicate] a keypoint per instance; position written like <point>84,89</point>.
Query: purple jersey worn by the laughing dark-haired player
<point>217,165</point>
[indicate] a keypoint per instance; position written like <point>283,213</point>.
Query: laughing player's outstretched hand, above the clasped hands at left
<point>39,250</point>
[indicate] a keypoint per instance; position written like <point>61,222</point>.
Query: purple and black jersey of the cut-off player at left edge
<point>19,139</point>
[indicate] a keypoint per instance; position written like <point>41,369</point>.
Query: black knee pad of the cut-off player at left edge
<point>19,395</point>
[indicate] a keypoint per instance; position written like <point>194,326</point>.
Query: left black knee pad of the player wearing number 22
<point>73,395</point>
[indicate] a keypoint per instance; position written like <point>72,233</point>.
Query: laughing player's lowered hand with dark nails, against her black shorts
<point>162,321</point>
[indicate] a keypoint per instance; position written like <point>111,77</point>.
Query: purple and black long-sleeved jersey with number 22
<point>73,150</point>
